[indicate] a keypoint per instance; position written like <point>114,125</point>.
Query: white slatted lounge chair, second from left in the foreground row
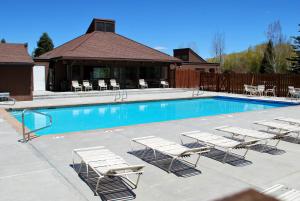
<point>171,149</point>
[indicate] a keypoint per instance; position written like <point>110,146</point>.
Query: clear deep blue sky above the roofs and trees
<point>162,24</point>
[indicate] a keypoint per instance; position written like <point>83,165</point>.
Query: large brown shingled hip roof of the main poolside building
<point>107,46</point>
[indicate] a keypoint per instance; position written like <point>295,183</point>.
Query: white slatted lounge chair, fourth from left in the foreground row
<point>249,133</point>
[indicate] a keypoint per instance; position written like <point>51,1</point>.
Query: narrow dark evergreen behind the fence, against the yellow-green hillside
<point>267,63</point>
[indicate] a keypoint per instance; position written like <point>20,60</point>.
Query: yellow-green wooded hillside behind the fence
<point>250,59</point>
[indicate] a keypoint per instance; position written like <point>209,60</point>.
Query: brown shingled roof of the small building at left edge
<point>14,54</point>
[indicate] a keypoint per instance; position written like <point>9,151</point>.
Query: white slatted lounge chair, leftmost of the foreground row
<point>105,164</point>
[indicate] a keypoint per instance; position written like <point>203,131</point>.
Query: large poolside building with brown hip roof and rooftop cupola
<point>103,54</point>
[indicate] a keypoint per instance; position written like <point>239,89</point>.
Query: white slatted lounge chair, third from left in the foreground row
<point>212,140</point>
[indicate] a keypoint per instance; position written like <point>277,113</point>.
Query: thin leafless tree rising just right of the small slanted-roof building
<point>218,47</point>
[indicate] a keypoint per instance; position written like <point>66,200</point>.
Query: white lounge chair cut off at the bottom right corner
<point>283,193</point>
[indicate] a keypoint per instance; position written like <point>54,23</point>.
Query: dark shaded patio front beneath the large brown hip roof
<point>126,73</point>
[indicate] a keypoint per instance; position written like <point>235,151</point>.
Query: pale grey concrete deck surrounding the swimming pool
<point>41,169</point>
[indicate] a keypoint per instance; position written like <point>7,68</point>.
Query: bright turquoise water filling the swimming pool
<point>72,119</point>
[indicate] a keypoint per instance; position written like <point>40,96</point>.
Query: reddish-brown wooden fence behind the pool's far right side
<point>233,82</point>
